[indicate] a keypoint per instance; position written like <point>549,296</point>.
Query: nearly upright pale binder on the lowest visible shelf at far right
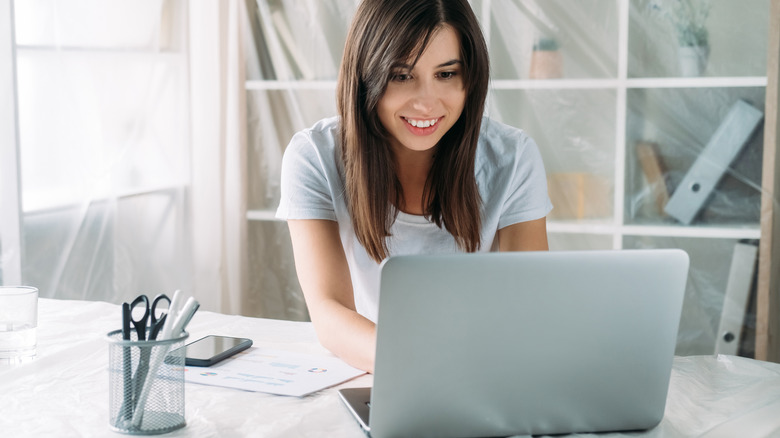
<point>735,300</point>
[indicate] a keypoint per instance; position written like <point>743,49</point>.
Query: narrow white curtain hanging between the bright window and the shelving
<point>218,156</point>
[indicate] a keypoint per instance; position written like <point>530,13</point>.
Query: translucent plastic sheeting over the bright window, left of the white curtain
<point>103,122</point>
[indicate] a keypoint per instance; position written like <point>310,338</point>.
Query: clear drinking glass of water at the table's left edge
<point>18,324</point>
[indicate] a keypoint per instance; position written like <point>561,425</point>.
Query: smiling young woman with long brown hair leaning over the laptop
<point>409,166</point>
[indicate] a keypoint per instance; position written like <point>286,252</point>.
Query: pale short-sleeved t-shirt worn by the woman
<point>510,177</point>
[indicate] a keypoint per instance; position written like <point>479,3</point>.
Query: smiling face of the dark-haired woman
<point>422,103</point>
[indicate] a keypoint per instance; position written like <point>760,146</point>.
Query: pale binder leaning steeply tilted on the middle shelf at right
<point>714,160</point>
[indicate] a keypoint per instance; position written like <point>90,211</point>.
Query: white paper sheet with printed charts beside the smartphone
<point>274,371</point>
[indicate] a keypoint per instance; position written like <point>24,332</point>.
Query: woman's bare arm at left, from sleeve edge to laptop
<point>327,286</point>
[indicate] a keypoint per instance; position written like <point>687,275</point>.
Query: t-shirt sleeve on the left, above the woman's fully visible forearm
<point>306,183</point>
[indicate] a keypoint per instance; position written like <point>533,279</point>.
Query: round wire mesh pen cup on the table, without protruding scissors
<point>145,384</point>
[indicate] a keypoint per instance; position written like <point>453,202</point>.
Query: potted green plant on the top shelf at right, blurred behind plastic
<point>688,20</point>
